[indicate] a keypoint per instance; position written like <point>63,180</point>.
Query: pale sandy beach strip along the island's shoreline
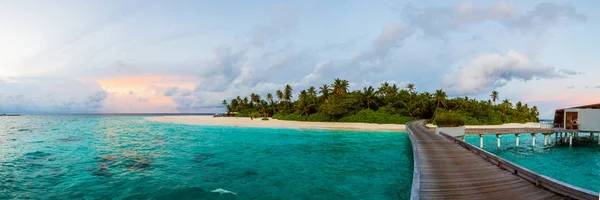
<point>274,123</point>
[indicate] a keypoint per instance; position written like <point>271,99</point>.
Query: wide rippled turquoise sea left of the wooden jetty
<point>128,157</point>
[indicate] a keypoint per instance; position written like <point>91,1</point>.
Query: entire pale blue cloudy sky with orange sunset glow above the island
<point>127,56</point>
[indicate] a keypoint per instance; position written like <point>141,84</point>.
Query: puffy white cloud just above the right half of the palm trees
<point>490,71</point>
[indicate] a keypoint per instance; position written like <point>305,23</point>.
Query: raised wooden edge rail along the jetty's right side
<point>539,180</point>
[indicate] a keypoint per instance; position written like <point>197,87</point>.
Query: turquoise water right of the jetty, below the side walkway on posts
<point>578,165</point>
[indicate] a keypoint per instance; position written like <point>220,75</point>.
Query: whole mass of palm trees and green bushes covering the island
<point>386,103</point>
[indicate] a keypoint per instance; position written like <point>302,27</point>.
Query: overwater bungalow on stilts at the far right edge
<point>582,118</point>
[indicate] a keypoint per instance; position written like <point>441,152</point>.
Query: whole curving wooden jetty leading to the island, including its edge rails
<point>446,167</point>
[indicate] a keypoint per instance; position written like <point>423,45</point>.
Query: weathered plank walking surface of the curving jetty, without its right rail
<point>444,169</point>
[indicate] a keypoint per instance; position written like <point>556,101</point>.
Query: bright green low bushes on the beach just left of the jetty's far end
<point>379,117</point>
